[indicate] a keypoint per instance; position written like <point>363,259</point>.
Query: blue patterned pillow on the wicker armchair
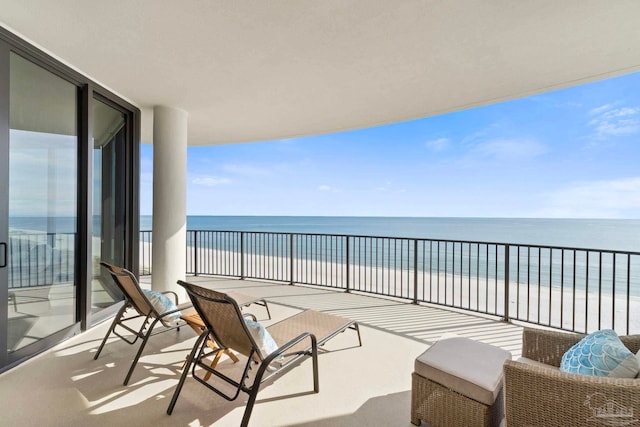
<point>601,354</point>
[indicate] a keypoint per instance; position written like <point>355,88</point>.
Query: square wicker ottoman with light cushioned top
<point>457,382</point>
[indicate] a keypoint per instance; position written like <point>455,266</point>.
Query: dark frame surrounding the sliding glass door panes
<point>87,90</point>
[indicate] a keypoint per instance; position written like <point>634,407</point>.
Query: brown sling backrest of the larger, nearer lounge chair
<point>222,316</point>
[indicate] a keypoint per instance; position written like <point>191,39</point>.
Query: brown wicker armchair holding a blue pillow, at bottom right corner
<point>536,395</point>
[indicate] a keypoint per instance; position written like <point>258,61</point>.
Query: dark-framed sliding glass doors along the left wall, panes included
<point>69,153</point>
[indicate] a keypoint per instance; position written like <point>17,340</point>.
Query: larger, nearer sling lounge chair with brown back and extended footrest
<point>271,349</point>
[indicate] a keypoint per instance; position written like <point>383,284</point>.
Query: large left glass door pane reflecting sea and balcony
<point>43,182</point>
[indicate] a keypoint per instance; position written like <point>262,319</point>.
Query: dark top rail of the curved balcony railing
<point>426,239</point>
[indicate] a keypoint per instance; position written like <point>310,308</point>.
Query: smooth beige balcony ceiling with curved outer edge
<point>259,70</point>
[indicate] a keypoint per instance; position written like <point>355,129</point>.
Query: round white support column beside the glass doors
<point>168,263</point>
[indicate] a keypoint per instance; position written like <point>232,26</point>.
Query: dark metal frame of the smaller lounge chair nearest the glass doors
<point>144,309</point>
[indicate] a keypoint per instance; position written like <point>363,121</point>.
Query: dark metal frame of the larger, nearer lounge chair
<point>201,351</point>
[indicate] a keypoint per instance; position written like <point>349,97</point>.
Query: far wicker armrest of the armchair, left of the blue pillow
<point>547,347</point>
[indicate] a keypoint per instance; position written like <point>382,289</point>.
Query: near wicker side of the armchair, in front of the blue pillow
<point>538,396</point>
